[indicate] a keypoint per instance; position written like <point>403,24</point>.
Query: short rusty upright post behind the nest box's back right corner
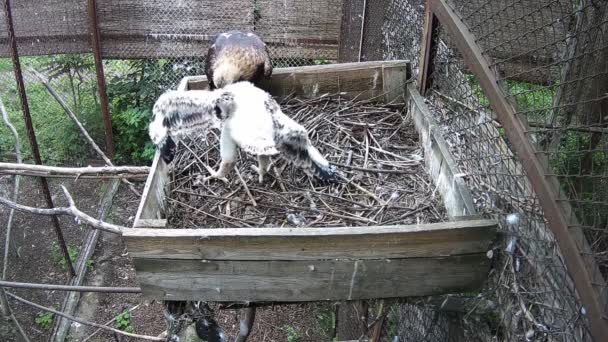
<point>429,46</point>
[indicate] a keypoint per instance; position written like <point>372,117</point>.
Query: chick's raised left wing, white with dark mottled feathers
<point>178,113</point>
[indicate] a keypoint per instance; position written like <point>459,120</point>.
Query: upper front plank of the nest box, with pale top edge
<point>425,240</point>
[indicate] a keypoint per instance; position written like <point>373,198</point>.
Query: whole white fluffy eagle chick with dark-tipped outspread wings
<point>249,118</point>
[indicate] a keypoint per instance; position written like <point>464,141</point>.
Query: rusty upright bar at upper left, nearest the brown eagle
<point>101,79</point>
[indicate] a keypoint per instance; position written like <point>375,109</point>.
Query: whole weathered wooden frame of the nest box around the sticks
<point>311,264</point>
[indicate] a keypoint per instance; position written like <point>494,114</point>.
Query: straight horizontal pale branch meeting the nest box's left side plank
<point>140,172</point>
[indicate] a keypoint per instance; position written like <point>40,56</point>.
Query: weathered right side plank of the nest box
<point>454,192</point>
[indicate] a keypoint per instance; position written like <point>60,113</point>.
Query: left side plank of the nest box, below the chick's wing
<point>153,196</point>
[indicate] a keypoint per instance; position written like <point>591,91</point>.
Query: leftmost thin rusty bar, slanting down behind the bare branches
<point>30,131</point>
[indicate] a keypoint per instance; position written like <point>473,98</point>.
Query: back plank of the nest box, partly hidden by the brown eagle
<point>364,80</point>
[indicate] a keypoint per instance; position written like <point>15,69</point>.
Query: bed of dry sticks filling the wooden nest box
<point>374,146</point>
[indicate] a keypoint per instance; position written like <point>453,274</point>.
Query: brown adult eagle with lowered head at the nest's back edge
<point>237,56</point>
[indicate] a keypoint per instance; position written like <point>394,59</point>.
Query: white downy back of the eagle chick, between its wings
<point>251,125</point>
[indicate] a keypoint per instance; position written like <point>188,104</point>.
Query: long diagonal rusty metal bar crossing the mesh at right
<point>538,174</point>
